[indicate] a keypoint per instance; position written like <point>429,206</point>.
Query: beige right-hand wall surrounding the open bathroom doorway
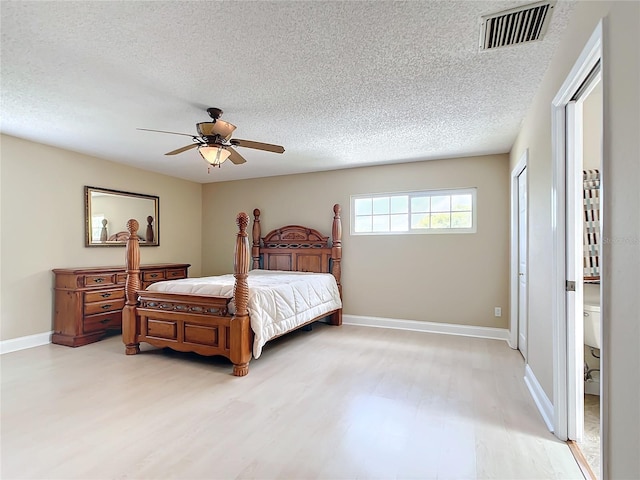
<point>621,224</point>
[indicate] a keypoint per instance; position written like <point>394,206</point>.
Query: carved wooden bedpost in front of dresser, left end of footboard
<point>129,324</point>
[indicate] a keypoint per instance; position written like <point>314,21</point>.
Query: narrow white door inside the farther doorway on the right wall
<point>522,262</point>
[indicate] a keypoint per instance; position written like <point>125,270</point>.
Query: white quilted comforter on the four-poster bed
<point>278,301</point>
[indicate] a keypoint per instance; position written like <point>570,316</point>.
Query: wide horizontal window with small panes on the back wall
<point>429,211</point>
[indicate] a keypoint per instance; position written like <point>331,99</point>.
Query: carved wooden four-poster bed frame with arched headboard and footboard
<point>203,324</point>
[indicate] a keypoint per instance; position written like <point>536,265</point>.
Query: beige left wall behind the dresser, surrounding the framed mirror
<point>43,225</point>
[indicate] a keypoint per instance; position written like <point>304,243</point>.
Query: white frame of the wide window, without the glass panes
<point>420,193</point>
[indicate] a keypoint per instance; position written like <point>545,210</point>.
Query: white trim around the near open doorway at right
<point>588,59</point>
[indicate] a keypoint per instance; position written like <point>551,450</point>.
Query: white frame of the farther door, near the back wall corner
<point>515,242</point>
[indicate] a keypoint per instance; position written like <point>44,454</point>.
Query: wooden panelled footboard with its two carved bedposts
<point>189,323</point>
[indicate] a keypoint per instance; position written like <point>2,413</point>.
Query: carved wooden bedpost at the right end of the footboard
<point>240,326</point>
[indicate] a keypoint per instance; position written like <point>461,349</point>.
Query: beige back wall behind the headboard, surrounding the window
<point>456,278</point>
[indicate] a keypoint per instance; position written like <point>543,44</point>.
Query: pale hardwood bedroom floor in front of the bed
<point>337,402</point>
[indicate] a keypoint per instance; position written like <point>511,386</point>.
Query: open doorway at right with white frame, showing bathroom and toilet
<point>578,165</point>
